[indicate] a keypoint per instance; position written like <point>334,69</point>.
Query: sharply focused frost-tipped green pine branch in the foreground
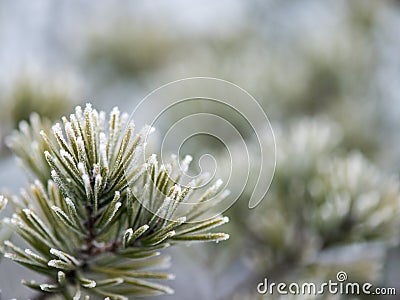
<point>96,217</point>
